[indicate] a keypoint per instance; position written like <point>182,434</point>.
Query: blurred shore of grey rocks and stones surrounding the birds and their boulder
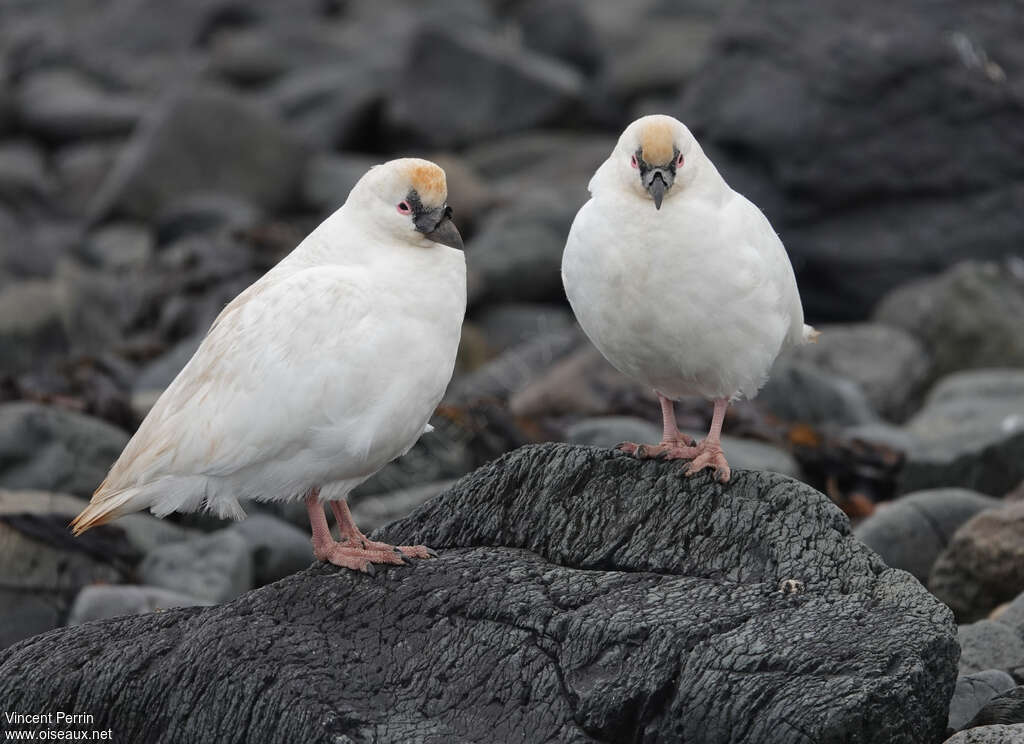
<point>156,158</point>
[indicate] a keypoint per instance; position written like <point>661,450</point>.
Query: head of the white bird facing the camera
<point>657,157</point>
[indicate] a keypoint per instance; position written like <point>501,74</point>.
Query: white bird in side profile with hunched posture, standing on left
<point>315,377</point>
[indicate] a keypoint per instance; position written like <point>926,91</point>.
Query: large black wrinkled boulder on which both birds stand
<point>581,596</point>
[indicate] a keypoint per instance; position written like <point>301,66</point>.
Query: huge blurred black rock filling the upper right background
<point>940,81</point>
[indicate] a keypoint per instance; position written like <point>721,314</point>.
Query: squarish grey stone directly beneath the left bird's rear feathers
<point>216,567</point>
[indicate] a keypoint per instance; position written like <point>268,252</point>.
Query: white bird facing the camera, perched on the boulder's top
<point>680,282</point>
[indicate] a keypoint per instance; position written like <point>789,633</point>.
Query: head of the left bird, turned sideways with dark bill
<point>408,198</point>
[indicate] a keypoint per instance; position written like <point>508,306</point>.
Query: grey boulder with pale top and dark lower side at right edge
<point>969,434</point>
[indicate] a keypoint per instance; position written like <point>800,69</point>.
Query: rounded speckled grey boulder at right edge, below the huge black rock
<point>968,318</point>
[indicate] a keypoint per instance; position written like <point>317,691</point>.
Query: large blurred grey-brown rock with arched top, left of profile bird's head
<point>202,141</point>
